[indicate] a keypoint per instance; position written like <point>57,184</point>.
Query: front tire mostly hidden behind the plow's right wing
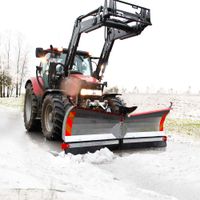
<point>114,103</point>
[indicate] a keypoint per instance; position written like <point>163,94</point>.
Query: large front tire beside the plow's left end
<point>52,117</point>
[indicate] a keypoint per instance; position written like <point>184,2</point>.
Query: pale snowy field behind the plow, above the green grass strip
<point>184,106</point>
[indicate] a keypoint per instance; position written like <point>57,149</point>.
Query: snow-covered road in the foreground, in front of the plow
<point>29,171</point>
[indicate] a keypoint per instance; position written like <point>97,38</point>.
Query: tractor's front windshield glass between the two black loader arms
<point>82,64</point>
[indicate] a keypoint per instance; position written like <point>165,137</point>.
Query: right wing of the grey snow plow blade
<point>146,128</point>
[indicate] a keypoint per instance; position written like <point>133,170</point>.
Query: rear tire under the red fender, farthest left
<point>30,110</point>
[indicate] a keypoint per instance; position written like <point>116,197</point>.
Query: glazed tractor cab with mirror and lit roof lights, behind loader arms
<point>52,66</point>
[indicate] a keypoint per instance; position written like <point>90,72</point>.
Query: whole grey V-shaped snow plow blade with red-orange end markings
<point>89,130</point>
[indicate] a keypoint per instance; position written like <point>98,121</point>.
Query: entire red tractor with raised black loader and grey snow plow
<point>67,99</point>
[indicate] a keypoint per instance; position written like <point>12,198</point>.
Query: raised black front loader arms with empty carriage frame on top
<point>118,23</point>
